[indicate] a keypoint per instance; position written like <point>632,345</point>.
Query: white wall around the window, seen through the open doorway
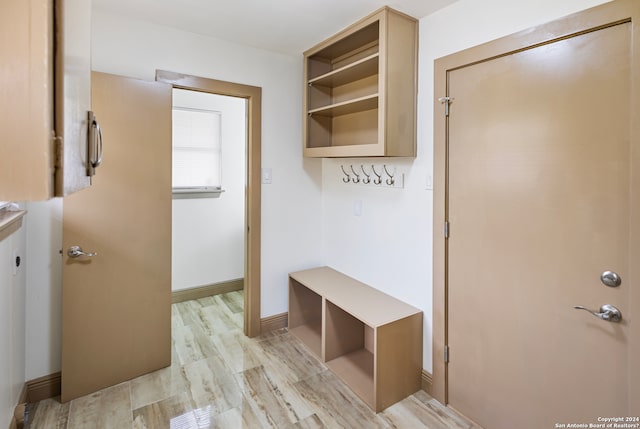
<point>208,233</point>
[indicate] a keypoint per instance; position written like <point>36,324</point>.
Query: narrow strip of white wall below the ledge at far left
<point>12,323</point>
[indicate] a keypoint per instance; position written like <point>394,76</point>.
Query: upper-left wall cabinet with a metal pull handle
<point>47,146</point>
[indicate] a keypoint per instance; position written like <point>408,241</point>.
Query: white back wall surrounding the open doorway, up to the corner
<point>291,205</point>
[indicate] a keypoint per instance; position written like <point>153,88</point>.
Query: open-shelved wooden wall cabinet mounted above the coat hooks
<point>361,84</point>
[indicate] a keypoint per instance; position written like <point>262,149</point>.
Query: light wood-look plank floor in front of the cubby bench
<point>221,379</point>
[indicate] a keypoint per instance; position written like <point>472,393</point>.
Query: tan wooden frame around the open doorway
<point>253,95</point>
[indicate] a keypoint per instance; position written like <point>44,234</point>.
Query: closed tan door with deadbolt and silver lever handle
<point>539,206</point>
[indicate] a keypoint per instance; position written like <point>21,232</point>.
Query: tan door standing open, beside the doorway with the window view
<point>116,321</point>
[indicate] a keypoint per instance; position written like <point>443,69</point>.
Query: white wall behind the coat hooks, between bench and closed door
<point>390,245</point>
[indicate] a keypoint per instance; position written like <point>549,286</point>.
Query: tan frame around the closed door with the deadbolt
<point>596,18</point>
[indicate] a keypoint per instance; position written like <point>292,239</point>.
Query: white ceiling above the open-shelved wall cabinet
<point>287,26</point>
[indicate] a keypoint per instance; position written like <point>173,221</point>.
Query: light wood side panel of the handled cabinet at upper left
<point>26,99</point>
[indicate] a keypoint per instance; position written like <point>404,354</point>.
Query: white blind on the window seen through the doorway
<point>196,149</point>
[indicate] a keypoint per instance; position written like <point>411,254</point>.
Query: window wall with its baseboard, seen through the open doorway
<point>209,180</point>
